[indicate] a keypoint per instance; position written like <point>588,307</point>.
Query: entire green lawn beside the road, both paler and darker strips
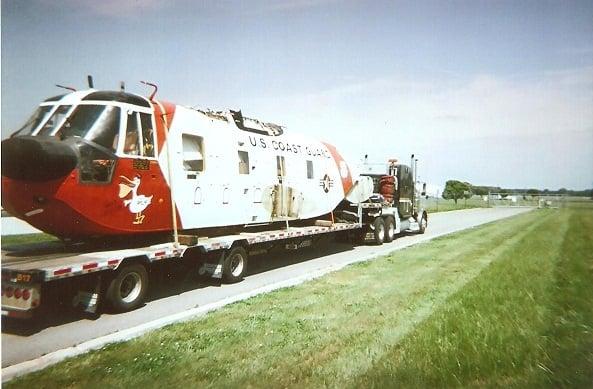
<point>506,304</point>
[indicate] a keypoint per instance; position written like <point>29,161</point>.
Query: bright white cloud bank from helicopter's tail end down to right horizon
<point>536,131</point>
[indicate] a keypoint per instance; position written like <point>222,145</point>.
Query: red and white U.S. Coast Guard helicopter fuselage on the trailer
<point>94,163</point>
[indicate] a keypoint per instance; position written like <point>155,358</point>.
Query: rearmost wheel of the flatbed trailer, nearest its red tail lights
<point>128,289</point>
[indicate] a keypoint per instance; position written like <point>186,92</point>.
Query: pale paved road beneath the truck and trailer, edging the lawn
<point>61,327</point>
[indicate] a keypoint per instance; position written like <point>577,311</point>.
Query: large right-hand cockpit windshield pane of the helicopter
<point>96,123</point>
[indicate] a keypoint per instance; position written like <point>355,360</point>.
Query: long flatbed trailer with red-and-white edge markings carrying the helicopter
<point>120,276</point>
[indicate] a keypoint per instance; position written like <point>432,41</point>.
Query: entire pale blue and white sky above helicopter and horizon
<point>493,93</point>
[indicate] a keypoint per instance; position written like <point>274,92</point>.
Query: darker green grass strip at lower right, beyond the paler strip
<point>525,322</point>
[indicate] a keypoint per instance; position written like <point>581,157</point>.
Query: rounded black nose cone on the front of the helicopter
<point>35,158</point>
